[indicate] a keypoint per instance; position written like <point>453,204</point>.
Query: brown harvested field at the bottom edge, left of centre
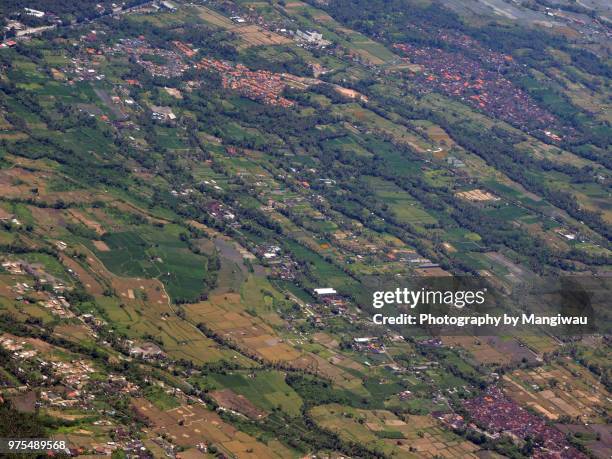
<point>197,425</point>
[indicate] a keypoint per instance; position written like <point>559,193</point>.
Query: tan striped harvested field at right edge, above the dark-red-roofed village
<point>555,391</point>
